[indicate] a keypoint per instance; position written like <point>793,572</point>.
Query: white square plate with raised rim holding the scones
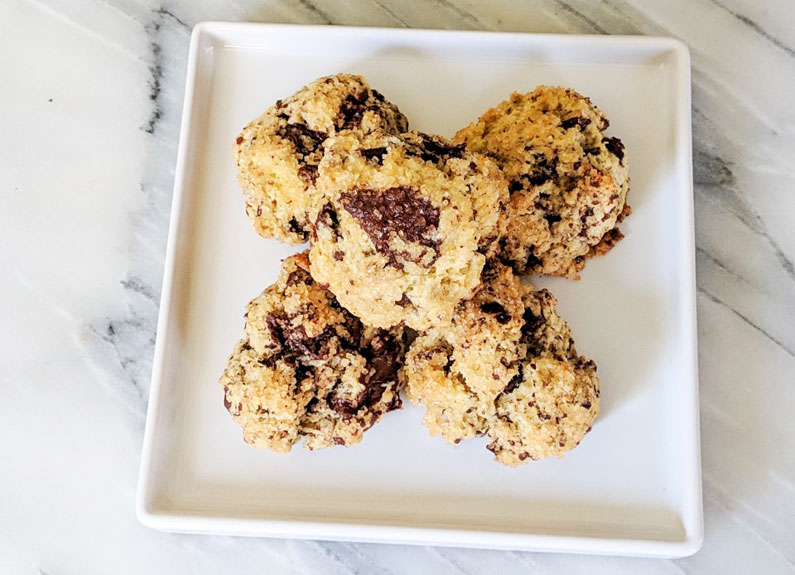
<point>632,487</point>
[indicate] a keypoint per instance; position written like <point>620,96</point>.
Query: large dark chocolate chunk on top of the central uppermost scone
<point>397,211</point>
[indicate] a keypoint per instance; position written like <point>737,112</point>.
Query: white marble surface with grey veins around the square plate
<point>91,95</point>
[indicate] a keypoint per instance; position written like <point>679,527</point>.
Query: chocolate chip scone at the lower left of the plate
<point>308,368</point>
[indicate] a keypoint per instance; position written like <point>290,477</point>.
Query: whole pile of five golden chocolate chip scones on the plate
<point>412,278</point>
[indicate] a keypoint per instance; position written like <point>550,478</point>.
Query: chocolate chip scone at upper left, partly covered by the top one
<point>277,154</point>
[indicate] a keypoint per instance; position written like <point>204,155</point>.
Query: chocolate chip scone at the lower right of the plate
<point>506,368</point>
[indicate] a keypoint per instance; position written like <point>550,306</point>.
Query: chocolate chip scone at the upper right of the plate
<point>568,180</point>
